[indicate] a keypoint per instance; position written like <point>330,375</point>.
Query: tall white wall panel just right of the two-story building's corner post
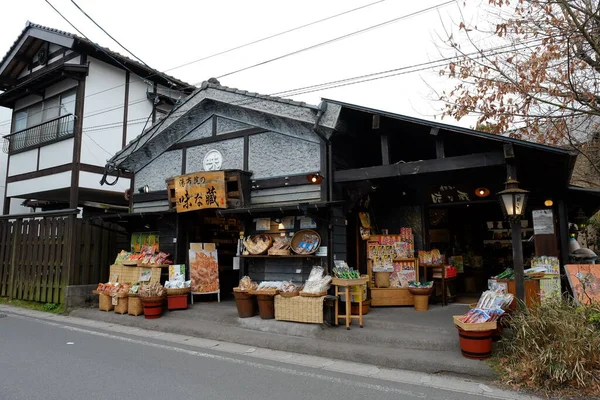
<point>102,132</point>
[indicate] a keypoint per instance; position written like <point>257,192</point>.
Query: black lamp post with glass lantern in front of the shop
<point>514,200</point>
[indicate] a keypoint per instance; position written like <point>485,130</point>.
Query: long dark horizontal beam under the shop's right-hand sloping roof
<point>421,167</point>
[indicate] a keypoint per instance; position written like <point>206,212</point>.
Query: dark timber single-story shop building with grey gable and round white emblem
<point>281,166</point>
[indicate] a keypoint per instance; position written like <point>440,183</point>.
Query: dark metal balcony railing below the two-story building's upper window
<point>46,132</point>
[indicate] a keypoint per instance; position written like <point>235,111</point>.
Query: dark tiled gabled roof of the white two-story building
<point>80,44</point>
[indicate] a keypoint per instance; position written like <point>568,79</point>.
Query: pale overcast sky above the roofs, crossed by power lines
<point>167,34</point>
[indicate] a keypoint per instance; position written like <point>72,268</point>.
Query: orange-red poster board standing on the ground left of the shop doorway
<point>204,268</point>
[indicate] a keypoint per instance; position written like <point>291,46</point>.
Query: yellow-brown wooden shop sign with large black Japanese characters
<point>200,190</point>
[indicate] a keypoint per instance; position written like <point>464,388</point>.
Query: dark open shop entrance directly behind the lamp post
<point>475,239</point>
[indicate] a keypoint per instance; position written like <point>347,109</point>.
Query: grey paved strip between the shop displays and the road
<point>399,338</point>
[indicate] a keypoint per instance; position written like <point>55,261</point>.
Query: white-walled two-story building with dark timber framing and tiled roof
<point>74,105</point>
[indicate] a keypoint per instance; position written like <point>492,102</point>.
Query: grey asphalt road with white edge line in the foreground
<point>40,359</point>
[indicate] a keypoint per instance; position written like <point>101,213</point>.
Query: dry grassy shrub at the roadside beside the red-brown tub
<point>554,346</point>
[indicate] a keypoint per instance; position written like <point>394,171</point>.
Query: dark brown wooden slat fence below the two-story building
<point>41,254</point>
